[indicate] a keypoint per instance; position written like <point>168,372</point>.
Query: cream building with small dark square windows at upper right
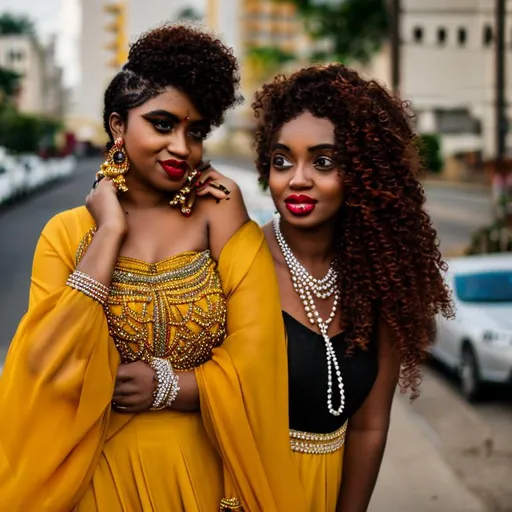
<point>447,70</point>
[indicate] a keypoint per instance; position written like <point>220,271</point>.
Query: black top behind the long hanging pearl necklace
<point>307,373</point>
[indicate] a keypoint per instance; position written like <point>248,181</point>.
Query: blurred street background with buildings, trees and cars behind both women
<point>451,449</point>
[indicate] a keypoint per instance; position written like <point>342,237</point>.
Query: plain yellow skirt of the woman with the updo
<point>159,461</point>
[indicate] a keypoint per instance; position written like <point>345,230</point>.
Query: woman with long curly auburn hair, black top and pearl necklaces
<point>359,269</point>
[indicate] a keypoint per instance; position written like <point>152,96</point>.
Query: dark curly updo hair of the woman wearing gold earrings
<point>180,56</point>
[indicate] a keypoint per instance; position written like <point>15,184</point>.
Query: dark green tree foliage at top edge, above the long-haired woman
<point>355,29</point>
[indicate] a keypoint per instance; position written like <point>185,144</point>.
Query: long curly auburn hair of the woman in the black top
<point>389,259</point>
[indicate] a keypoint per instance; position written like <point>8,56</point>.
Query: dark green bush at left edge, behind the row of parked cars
<point>24,133</point>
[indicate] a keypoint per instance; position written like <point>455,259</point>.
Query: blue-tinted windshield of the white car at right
<point>484,287</point>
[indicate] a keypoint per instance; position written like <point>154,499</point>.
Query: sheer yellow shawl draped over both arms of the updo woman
<point>56,388</point>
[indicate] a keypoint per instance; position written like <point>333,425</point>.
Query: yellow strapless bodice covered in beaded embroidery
<point>172,309</point>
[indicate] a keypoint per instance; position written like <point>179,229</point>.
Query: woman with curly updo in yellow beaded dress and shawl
<point>149,372</point>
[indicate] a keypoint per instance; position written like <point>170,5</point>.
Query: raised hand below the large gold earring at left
<point>104,206</point>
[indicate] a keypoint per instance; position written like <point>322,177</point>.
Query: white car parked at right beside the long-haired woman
<point>478,343</point>
